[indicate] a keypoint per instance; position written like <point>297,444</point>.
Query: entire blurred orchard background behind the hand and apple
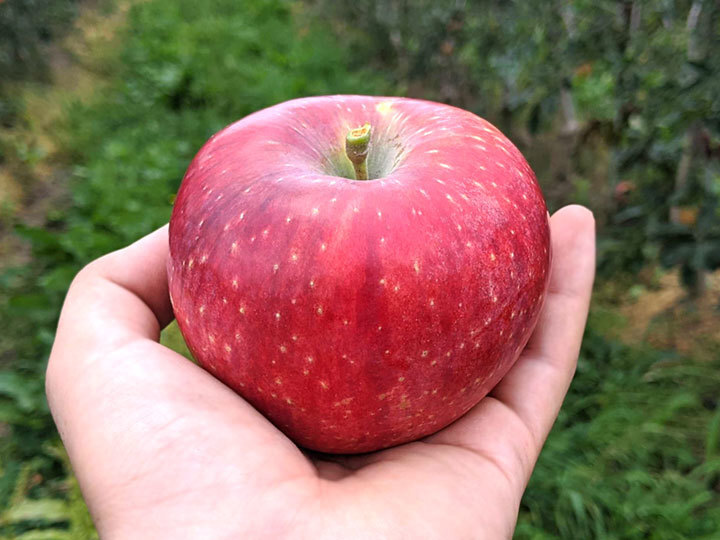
<point>615,103</point>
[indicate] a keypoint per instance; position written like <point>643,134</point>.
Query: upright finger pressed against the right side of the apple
<point>510,425</point>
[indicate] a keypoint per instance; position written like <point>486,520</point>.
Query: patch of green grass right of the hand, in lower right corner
<point>633,453</point>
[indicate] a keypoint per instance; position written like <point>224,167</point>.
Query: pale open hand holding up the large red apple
<point>162,449</point>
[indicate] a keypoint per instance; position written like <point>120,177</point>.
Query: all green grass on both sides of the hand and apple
<point>636,450</point>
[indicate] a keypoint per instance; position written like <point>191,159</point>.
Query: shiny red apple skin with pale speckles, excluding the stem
<point>358,315</point>
